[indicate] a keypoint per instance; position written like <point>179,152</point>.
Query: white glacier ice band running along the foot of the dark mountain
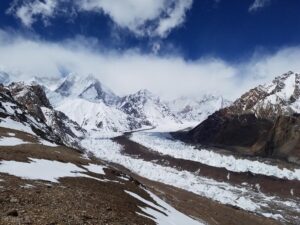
<point>164,144</point>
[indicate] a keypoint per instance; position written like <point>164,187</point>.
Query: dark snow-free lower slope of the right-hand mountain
<point>250,135</point>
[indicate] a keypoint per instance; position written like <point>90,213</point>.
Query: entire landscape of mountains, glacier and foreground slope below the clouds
<point>145,159</point>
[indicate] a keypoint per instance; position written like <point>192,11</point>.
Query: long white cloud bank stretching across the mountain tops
<point>170,76</point>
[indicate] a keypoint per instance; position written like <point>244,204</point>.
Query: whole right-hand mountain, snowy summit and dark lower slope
<point>264,121</point>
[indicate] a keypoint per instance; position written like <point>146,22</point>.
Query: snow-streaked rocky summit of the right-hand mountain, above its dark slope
<point>281,96</point>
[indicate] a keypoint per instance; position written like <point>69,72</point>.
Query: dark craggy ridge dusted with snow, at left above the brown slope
<point>28,105</point>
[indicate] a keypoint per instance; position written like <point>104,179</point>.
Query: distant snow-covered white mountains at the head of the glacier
<point>95,107</point>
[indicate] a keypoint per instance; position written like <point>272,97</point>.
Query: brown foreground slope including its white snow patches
<point>42,183</point>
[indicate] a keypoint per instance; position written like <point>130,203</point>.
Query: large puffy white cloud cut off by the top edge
<point>147,17</point>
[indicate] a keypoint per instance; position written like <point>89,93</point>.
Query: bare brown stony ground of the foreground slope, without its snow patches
<point>71,201</point>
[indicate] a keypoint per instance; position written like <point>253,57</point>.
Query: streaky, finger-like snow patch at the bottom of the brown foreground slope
<point>161,212</point>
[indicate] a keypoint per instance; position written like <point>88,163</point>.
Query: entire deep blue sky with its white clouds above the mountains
<point>202,35</point>
